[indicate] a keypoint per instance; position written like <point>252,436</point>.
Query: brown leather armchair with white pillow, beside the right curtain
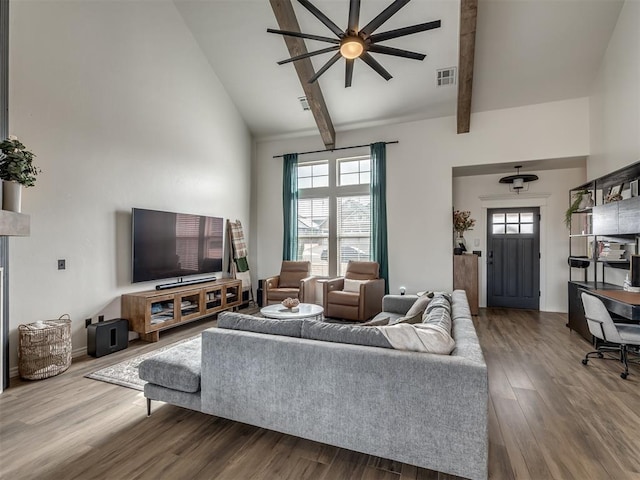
<point>357,296</point>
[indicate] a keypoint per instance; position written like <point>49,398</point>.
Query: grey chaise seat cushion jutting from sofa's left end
<point>177,368</point>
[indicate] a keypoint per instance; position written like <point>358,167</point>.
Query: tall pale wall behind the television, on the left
<point>122,110</point>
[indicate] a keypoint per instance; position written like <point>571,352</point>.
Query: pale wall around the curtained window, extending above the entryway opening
<point>419,180</point>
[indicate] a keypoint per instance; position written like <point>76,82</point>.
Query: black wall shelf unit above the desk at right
<point>603,234</point>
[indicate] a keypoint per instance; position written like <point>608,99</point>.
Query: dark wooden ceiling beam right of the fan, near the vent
<point>468,16</point>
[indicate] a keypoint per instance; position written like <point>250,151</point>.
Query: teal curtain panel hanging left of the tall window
<point>290,206</point>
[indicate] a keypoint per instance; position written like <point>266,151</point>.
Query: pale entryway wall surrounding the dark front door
<point>550,194</point>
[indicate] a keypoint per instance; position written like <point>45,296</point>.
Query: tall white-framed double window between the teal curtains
<point>334,213</point>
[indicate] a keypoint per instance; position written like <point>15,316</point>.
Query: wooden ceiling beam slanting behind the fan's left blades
<point>286,17</point>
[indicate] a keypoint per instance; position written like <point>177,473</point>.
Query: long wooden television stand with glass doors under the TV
<point>151,311</point>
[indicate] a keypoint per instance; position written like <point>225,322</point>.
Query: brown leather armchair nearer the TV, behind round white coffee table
<point>294,281</point>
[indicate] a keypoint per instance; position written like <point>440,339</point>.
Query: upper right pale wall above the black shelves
<point>615,98</point>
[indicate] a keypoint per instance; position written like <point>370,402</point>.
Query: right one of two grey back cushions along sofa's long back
<point>340,333</point>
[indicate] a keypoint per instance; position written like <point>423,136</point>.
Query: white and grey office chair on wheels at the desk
<point>617,337</point>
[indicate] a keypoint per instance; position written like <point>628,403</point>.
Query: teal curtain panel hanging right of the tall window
<point>379,250</point>
